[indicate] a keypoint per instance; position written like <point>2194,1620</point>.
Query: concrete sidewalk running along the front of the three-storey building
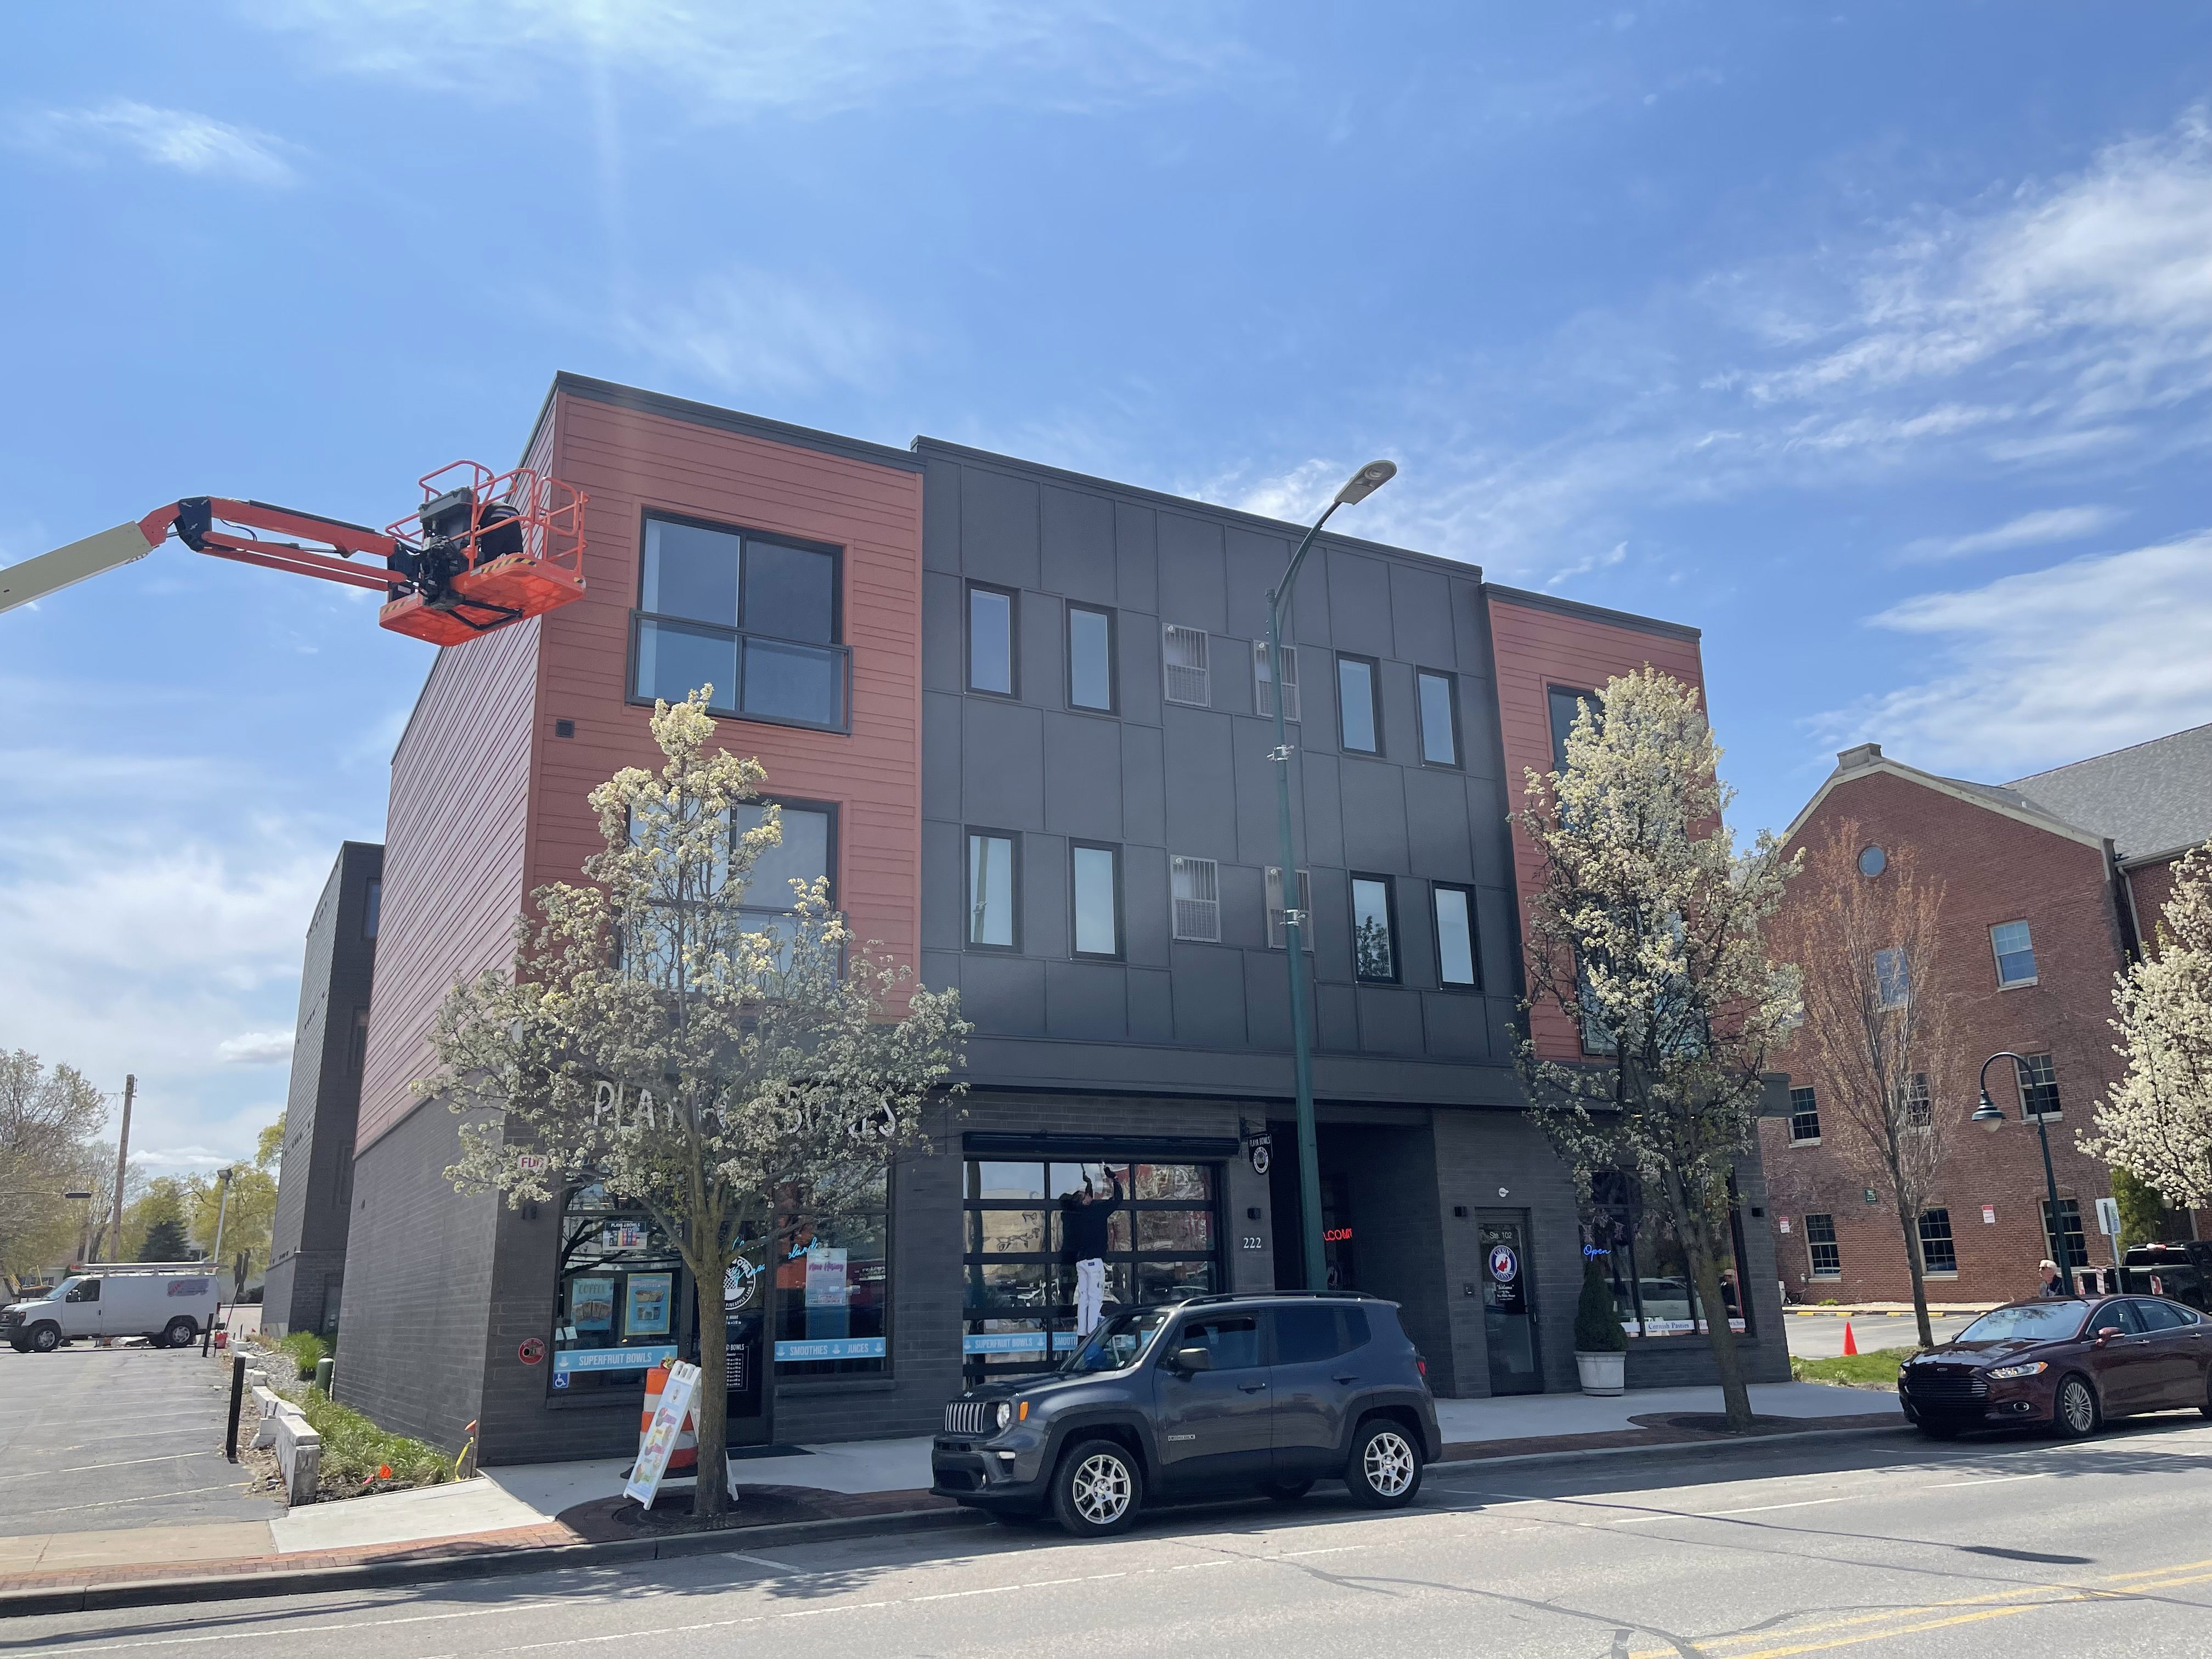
<point>519,1507</point>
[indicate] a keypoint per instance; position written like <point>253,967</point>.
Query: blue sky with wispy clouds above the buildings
<point>1875,342</point>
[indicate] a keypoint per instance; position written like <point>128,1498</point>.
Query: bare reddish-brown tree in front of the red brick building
<point>1875,1030</point>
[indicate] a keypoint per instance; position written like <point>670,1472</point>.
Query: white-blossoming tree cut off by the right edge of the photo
<point>2158,1118</point>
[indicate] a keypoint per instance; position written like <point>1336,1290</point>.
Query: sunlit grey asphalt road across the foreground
<point>1877,1545</point>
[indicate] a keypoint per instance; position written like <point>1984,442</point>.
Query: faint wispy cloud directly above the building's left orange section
<point>758,333</point>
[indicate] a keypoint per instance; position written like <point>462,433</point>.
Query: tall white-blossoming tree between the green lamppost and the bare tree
<point>1649,935</point>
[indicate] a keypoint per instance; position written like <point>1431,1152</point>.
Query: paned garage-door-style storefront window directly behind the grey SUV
<point>1162,1244</point>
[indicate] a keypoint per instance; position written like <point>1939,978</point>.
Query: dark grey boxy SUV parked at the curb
<point>1204,1399</point>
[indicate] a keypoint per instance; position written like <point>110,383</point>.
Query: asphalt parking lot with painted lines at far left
<point>116,1439</point>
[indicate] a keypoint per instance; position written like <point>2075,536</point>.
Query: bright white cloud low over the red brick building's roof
<point>2049,667</point>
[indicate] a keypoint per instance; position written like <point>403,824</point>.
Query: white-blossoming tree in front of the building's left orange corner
<point>740,1085</point>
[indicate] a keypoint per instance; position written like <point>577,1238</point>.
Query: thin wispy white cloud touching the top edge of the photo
<point>773,56</point>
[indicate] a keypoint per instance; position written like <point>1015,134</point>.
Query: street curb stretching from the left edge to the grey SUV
<point>368,1576</point>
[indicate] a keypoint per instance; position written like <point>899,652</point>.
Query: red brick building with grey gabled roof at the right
<point>2049,886</point>
